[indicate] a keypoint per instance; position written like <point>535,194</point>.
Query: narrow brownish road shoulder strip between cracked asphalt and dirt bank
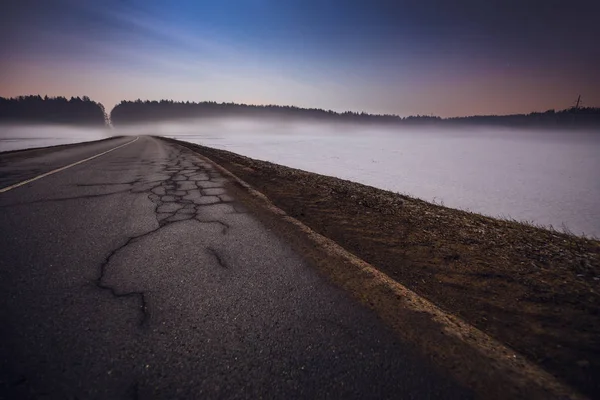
<point>476,359</point>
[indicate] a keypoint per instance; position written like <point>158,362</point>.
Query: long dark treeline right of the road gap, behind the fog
<point>150,111</point>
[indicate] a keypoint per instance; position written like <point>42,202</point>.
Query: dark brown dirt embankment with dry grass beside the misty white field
<point>536,290</point>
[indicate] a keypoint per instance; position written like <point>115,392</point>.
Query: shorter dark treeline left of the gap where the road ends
<point>57,110</point>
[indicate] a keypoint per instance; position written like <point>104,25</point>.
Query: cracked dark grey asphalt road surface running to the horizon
<point>135,275</point>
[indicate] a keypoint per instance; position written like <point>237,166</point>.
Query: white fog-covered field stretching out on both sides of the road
<point>549,178</point>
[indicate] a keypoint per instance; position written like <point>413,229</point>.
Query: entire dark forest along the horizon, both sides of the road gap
<point>83,111</point>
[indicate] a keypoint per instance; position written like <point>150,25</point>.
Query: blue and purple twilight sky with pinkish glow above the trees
<point>427,57</point>
